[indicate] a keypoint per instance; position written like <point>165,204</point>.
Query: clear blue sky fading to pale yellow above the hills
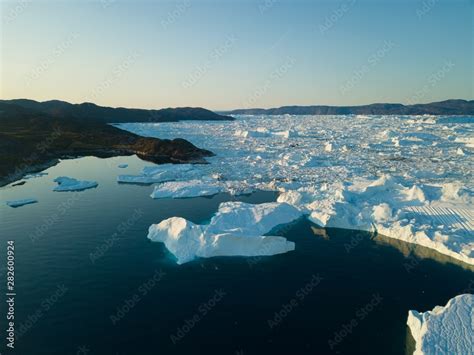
<point>237,53</point>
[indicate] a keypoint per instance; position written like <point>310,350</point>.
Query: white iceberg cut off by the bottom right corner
<point>444,330</point>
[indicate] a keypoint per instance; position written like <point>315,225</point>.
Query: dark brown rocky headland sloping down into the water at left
<point>32,140</point>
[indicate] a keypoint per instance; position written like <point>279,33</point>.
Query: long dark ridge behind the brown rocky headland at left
<point>90,111</point>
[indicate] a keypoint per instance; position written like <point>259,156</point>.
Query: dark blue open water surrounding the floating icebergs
<point>88,281</point>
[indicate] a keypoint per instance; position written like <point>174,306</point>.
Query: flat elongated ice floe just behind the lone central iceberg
<point>186,189</point>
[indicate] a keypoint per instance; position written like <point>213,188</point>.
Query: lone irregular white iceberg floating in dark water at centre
<point>236,229</point>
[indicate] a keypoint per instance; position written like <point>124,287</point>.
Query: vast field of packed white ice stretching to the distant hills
<point>406,177</point>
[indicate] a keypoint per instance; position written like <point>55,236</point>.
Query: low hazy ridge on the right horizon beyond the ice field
<point>448,107</point>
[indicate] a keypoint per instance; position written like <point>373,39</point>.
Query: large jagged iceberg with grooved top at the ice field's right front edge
<point>436,217</point>
